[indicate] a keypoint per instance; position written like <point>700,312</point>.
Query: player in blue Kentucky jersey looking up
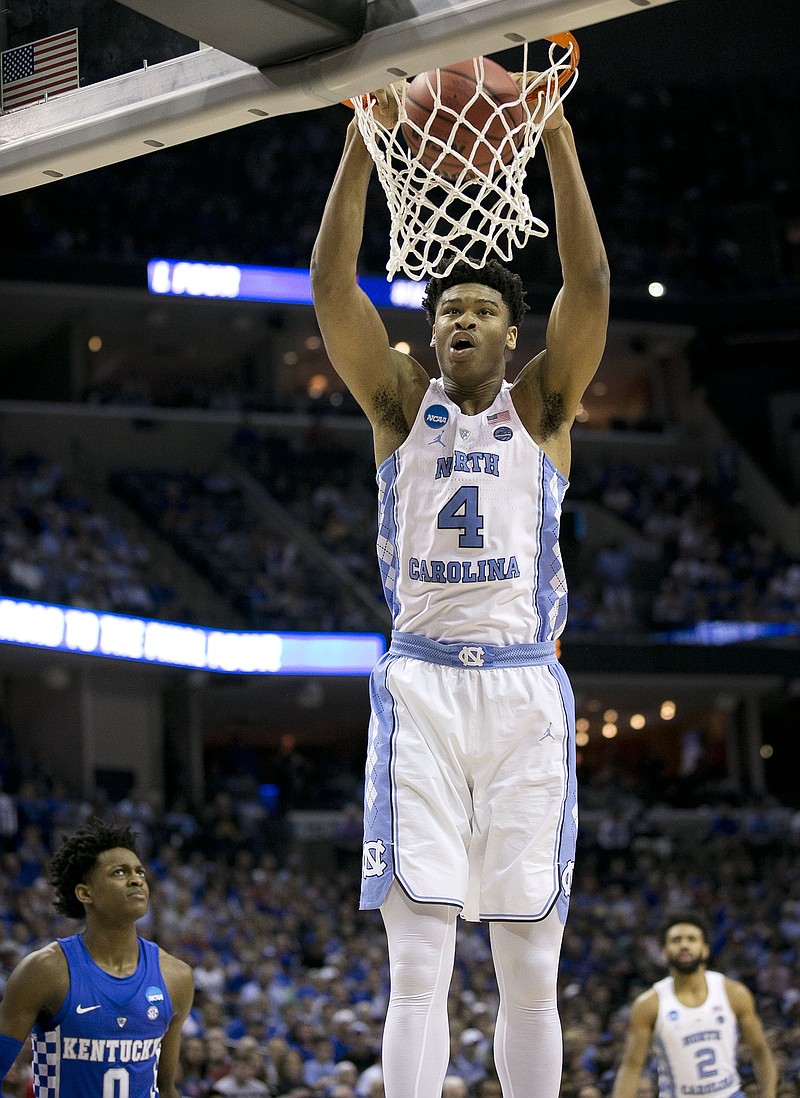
<point>105,1009</point>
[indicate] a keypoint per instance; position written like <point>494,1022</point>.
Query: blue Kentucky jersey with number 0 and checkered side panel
<point>106,1038</point>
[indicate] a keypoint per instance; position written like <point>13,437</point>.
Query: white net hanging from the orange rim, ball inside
<point>449,204</point>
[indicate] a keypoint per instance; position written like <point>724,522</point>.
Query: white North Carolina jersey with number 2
<point>696,1047</point>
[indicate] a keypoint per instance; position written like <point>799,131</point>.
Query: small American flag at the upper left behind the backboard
<point>49,66</point>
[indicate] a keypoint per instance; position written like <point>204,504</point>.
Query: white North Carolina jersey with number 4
<point>469,514</point>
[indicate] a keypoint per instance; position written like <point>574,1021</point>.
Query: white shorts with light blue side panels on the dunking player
<point>470,792</point>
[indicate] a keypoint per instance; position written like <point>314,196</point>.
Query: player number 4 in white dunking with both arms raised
<point>470,800</point>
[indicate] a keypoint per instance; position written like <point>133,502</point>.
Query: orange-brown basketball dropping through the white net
<point>475,122</point>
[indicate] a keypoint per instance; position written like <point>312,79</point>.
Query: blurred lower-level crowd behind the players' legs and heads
<point>291,979</point>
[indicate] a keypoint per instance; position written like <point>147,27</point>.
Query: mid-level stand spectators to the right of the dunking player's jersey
<point>694,555</point>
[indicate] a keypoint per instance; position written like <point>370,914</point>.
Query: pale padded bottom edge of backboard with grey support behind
<point>265,60</point>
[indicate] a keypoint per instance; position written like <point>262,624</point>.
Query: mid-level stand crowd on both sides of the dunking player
<point>691,553</point>
